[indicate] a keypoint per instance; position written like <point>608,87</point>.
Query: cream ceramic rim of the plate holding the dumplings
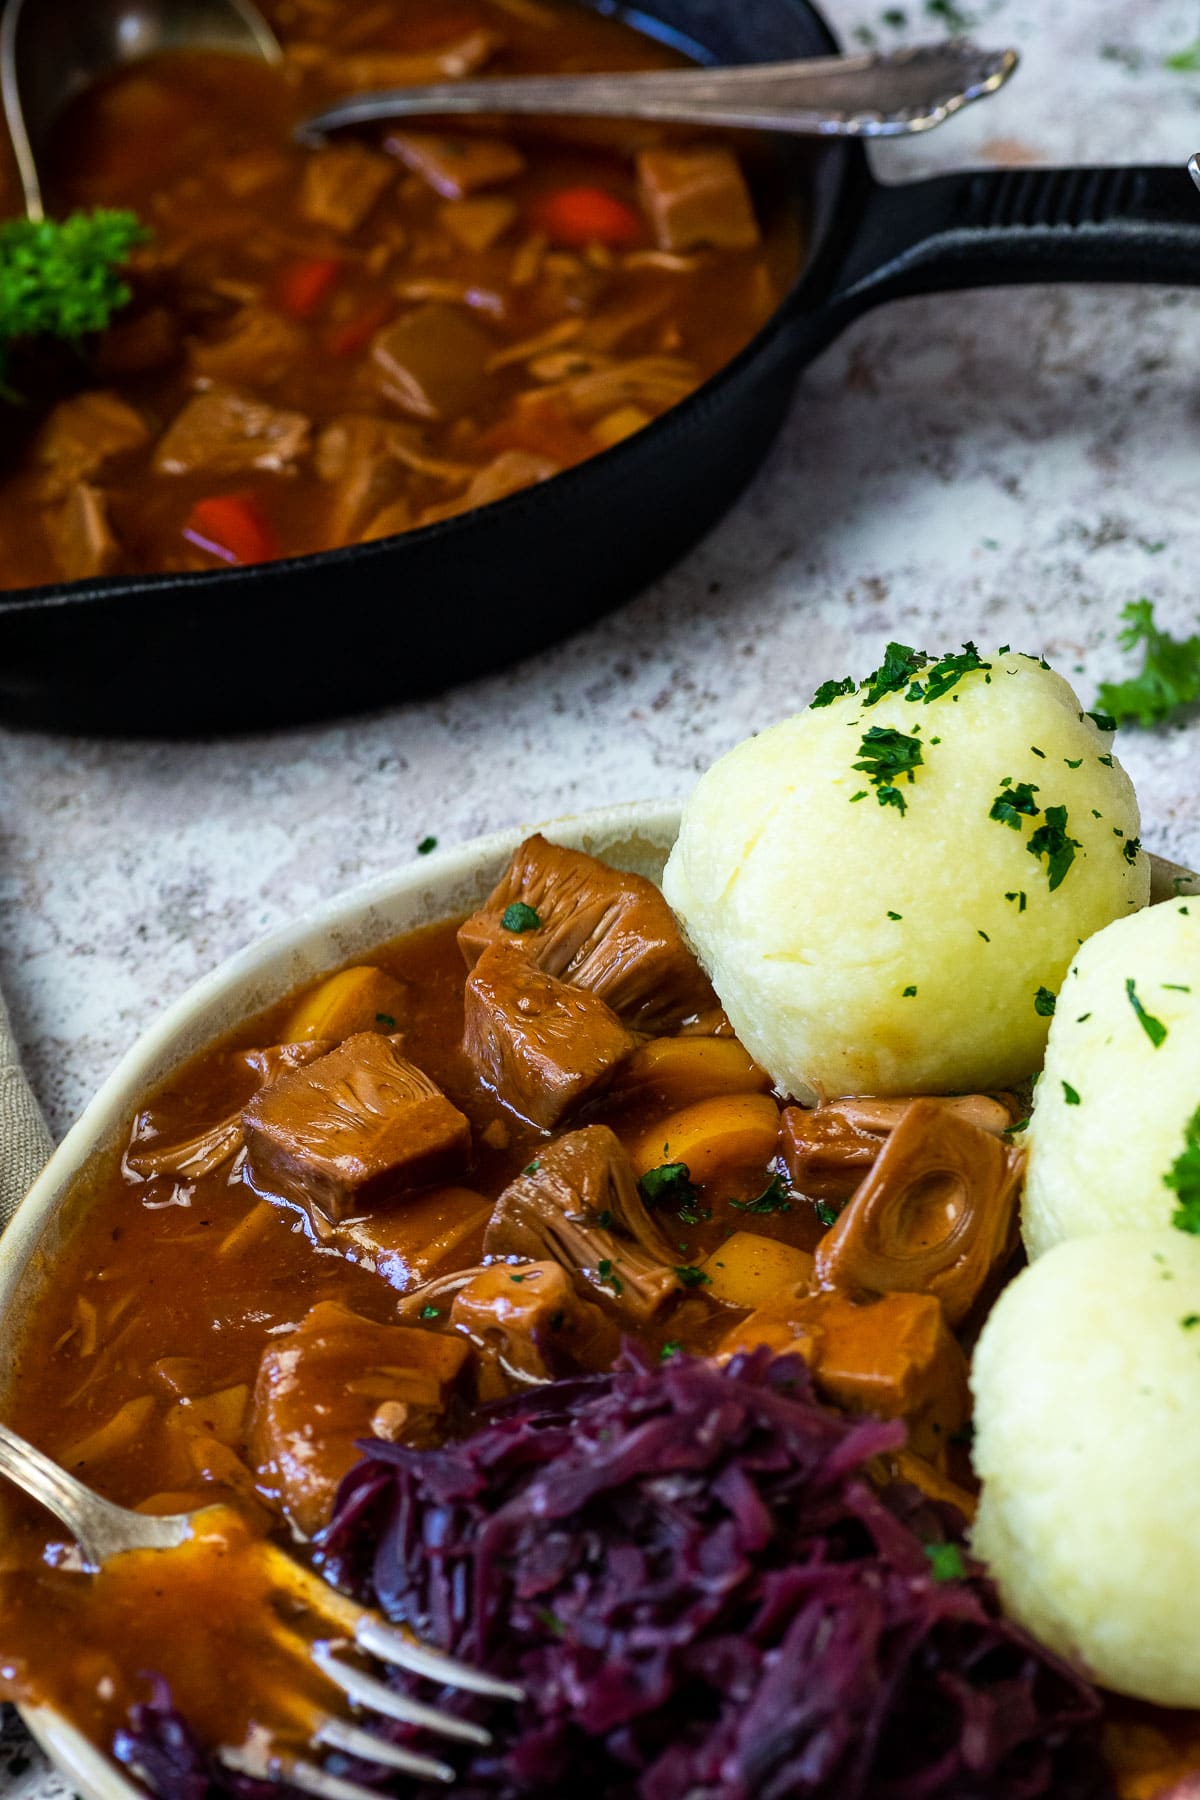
<point>321,939</point>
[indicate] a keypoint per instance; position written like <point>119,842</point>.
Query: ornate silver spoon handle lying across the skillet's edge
<point>832,96</point>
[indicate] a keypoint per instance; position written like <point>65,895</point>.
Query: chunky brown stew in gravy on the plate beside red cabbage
<point>463,1174</point>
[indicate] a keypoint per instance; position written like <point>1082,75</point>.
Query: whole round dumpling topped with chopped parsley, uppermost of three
<point>882,886</point>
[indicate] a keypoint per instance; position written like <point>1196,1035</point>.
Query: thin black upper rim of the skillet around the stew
<point>600,472</point>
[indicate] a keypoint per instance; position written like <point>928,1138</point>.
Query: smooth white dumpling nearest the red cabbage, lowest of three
<point>1088,1396</point>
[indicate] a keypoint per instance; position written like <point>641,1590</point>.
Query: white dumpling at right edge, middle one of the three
<point>1122,1081</point>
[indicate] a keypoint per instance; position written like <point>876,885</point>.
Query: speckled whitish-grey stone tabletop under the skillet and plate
<point>1007,467</point>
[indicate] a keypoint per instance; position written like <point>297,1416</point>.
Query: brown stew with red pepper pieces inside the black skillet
<point>346,343</point>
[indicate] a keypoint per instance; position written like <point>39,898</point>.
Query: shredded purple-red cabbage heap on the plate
<point>704,1597</point>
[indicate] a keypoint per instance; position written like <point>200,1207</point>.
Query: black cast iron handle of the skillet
<point>1003,228</point>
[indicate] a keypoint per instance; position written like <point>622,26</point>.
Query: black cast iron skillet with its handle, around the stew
<point>343,631</point>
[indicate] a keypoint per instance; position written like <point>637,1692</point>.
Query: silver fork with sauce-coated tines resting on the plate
<point>105,1531</point>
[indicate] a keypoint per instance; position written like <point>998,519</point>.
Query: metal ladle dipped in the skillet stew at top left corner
<point>49,53</point>
